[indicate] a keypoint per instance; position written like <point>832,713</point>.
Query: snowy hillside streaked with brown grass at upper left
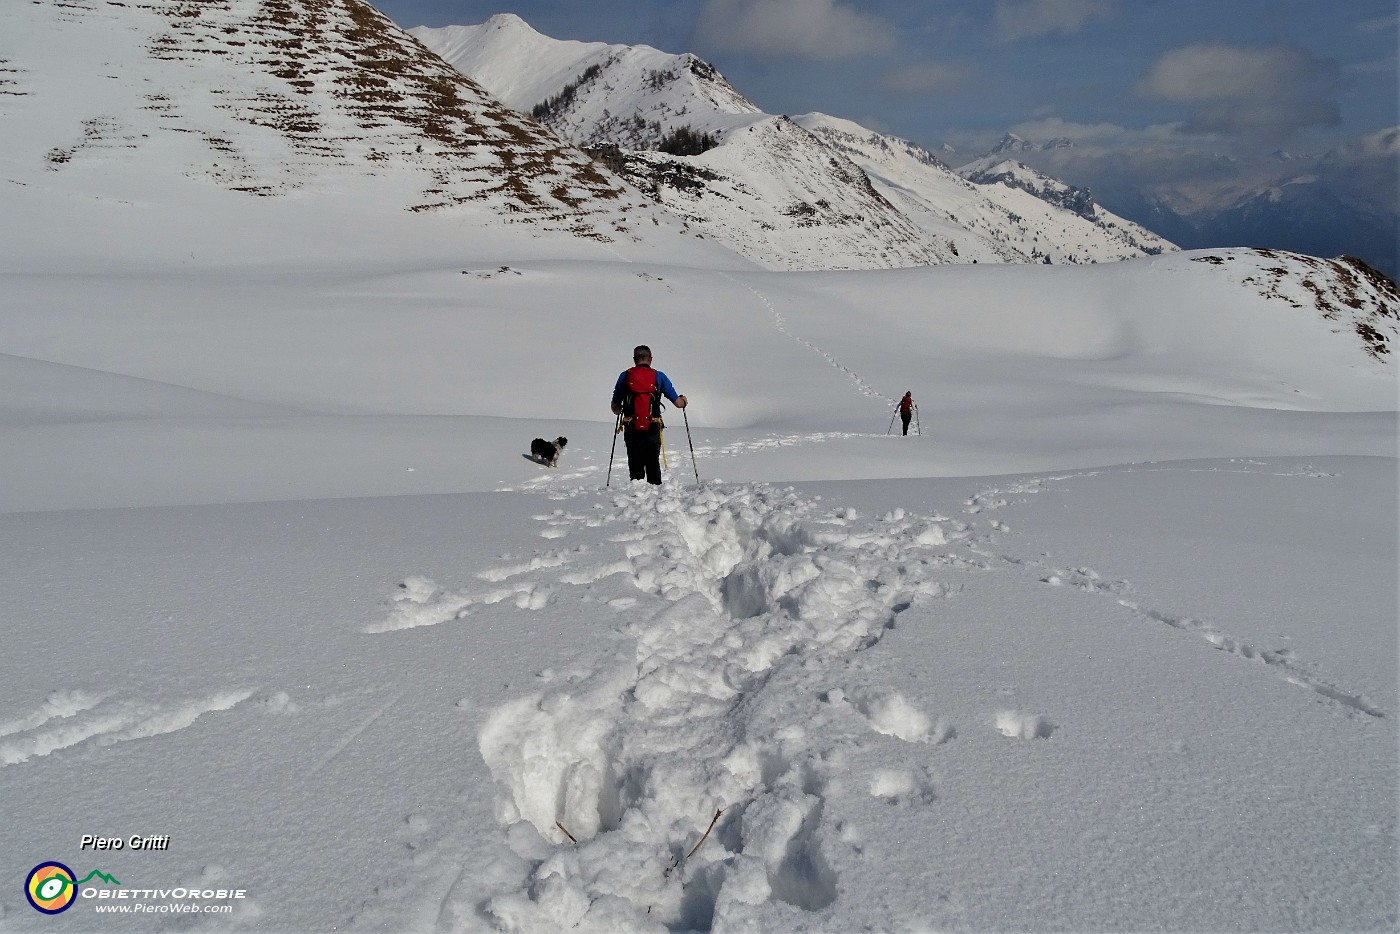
<point>240,107</point>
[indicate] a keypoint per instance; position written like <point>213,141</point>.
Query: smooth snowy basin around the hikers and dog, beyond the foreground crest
<point>402,366</point>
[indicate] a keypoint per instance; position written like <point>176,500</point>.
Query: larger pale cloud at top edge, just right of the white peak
<point>822,30</point>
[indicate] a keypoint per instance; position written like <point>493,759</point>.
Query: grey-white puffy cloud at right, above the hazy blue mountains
<point>1262,95</point>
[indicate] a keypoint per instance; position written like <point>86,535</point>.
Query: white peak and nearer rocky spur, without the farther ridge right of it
<point>766,190</point>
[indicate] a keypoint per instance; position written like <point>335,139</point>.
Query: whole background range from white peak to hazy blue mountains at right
<point>817,191</point>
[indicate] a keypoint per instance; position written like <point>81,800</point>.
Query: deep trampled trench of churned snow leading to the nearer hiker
<point>737,698</point>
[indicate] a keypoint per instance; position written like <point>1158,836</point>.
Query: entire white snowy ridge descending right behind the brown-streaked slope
<point>807,194</point>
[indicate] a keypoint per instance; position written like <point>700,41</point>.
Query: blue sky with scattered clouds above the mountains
<point>1230,76</point>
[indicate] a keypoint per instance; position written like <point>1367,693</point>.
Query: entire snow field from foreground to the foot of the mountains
<point>1109,645</point>
